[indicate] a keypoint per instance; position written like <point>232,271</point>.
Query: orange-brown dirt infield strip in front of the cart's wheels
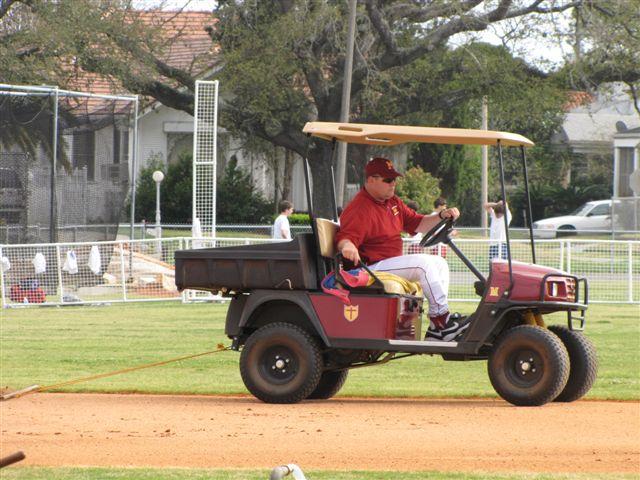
<point>339,434</point>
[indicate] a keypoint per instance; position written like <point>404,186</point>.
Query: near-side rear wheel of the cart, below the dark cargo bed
<point>281,363</point>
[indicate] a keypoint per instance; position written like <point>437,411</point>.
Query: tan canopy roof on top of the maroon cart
<point>397,134</point>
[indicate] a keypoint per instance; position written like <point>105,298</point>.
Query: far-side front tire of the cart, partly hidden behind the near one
<point>583,361</point>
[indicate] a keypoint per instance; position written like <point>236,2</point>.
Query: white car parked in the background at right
<point>591,216</point>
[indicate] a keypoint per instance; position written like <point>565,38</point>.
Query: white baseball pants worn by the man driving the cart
<point>431,271</point>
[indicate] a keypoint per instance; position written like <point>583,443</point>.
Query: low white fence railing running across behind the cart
<point>143,270</point>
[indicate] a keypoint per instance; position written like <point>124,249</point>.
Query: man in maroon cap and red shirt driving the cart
<point>370,228</point>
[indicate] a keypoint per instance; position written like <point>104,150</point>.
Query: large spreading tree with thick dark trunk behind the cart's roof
<point>283,60</point>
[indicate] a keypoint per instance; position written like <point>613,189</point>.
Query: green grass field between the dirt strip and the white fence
<point>51,345</point>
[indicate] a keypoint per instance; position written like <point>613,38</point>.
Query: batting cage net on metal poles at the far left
<point>64,164</point>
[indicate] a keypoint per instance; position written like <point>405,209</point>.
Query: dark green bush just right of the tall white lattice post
<point>237,199</point>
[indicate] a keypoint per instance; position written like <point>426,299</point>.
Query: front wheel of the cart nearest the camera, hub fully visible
<point>528,366</point>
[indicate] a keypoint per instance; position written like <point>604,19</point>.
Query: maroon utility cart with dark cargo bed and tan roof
<point>298,342</point>
